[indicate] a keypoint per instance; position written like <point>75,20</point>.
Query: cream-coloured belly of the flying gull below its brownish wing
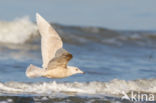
<point>54,73</point>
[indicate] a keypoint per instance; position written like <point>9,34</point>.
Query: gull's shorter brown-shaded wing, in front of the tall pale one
<point>61,59</point>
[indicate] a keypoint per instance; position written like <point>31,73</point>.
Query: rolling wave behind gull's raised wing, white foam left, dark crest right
<point>22,30</point>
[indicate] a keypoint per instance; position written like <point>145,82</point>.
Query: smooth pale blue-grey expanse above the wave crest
<point>112,14</point>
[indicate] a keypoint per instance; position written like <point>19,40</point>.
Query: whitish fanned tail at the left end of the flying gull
<point>34,71</point>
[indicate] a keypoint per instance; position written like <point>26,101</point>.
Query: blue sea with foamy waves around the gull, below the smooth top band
<point>116,63</point>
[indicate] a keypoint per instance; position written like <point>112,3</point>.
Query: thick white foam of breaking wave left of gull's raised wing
<point>17,31</point>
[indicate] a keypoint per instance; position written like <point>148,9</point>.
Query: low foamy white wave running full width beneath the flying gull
<point>114,87</point>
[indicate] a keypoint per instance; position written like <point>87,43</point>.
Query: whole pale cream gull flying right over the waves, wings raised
<point>55,58</point>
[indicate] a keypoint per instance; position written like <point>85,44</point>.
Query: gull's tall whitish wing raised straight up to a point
<point>50,40</point>
